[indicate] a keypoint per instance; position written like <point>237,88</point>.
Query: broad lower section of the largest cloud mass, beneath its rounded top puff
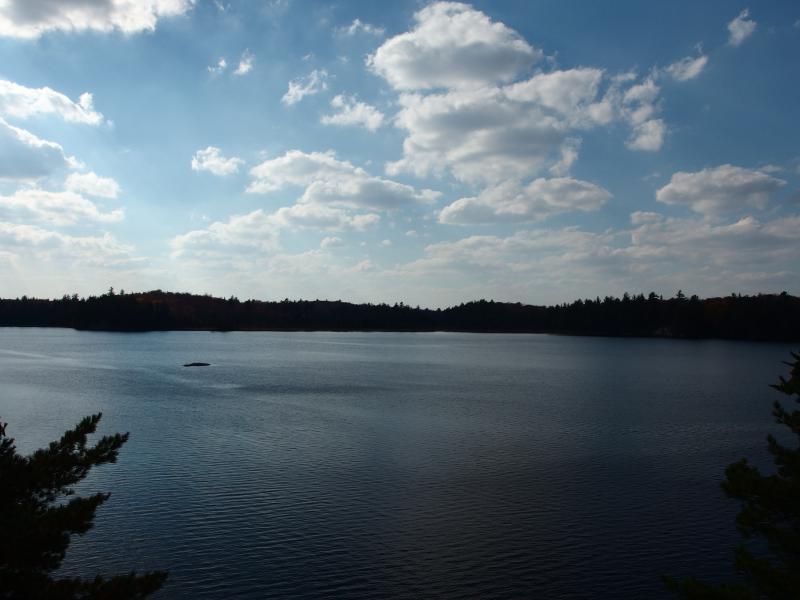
<point>520,130</point>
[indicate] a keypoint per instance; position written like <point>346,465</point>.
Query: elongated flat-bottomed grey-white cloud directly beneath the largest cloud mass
<point>513,202</point>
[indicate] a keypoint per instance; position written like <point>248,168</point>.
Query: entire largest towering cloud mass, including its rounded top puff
<point>489,128</point>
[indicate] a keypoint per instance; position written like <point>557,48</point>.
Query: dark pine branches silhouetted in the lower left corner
<point>39,512</point>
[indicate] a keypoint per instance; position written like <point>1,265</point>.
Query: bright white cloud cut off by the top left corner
<point>32,18</point>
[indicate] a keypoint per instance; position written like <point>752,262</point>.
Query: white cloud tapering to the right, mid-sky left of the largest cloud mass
<point>330,181</point>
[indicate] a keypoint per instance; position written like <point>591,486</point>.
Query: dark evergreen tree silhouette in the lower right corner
<point>769,521</point>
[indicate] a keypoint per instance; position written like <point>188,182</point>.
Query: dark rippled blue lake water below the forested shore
<point>377,465</point>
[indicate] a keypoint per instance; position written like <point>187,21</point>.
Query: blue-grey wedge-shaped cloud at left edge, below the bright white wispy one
<point>25,156</point>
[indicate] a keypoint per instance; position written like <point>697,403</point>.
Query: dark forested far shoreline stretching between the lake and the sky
<point>760,317</point>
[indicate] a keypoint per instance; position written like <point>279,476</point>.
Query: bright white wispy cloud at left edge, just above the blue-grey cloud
<point>22,102</point>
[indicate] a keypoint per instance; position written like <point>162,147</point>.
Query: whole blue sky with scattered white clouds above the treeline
<point>429,153</point>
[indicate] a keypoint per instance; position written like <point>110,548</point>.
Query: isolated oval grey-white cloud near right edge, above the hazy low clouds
<point>718,190</point>
